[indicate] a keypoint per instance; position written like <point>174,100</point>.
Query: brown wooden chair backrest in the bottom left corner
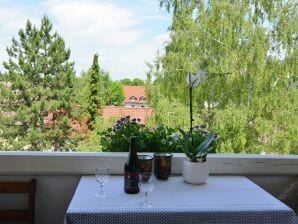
<point>19,187</point>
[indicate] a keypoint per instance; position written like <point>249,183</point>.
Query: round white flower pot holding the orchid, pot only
<point>195,172</point>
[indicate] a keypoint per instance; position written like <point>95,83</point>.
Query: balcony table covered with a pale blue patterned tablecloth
<point>222,200</point>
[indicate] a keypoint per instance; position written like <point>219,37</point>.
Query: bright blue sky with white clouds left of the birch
<point>125,33</point>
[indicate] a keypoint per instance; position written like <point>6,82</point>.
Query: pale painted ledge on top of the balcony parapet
<point>78,163</point>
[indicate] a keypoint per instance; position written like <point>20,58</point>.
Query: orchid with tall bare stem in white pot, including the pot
<point>197,143</point>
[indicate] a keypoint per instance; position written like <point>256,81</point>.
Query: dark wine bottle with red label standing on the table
<point>131,169</point>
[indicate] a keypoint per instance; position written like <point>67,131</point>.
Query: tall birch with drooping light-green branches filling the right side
<point>254,109</point>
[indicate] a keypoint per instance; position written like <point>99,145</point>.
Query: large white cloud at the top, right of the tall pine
<point>88,21</point>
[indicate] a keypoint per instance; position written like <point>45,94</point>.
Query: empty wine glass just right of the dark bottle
<point>146,185</point>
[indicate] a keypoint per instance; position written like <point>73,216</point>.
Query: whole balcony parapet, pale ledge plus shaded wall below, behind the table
<point>58,173</point>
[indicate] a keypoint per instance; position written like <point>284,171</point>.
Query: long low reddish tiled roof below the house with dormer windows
<point>114,111</point>
